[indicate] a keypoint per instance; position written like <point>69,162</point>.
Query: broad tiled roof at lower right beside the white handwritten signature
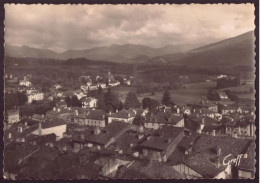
<point>204,151</point>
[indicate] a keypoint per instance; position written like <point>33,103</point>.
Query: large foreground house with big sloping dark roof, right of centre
<point>160,145</point>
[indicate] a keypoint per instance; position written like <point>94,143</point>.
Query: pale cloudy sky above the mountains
<point>66,27</point>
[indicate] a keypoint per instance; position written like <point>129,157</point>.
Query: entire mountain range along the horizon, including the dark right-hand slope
<point>236,51</point>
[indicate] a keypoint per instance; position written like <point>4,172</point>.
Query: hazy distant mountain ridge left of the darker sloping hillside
<point>115,52</point>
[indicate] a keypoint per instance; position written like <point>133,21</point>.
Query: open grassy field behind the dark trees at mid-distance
<point>191,93</point>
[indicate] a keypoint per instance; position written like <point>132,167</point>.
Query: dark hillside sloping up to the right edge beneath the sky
<point>236,51</point>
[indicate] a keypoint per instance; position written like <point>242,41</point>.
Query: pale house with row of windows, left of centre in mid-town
<point>91,118</point>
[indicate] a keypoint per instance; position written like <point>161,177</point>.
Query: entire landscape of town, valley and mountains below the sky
<point>131,111</point>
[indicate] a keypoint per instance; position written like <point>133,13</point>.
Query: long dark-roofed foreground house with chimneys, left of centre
<point>99,138</point>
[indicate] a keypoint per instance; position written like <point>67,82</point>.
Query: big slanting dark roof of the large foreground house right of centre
<point>161,138</point>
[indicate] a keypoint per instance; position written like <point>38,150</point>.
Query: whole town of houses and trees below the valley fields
<point>91,132</point>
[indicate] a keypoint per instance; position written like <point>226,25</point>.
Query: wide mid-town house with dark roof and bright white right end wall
<point>155,121</point>
